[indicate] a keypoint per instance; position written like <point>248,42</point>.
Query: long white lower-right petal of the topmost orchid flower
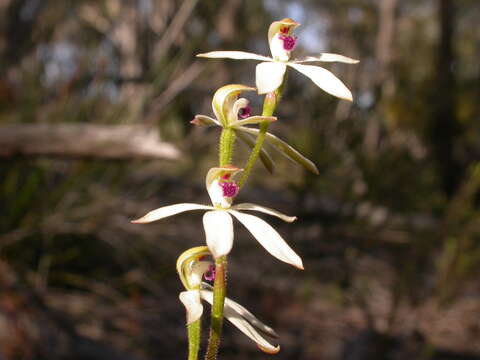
<point>325,80</point>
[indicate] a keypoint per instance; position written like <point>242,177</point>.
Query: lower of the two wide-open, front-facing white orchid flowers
<point>218,223</point>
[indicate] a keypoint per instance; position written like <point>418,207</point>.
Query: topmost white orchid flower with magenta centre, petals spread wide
<point>270,72</point>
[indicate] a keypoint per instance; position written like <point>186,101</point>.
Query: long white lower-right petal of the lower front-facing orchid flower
<point>269,238</point>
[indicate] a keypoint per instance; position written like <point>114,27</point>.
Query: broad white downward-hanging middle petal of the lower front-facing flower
<point>218,227</point>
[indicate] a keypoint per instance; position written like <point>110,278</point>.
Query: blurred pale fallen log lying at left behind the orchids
<point>85,140</point>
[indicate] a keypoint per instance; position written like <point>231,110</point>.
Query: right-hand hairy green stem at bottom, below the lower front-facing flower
<point>216,322</point>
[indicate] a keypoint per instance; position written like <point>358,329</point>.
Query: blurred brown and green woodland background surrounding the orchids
<point>95,103</point>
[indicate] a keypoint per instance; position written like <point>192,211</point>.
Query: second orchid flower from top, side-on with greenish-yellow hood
<point>233,112</point>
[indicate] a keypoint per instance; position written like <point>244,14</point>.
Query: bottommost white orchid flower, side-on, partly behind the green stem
<point>191,268</point>
